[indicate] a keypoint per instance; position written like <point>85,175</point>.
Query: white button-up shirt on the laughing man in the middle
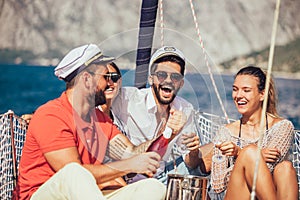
<point>135,111</point>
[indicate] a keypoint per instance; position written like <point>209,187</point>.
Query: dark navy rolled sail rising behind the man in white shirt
<point>146,31</point>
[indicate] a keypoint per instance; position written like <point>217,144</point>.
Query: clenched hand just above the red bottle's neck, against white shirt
<point>176,120</point>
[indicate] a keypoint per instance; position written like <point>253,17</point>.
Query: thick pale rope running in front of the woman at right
<point>264,108</point>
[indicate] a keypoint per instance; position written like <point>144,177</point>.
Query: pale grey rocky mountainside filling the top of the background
<point>43,31</point>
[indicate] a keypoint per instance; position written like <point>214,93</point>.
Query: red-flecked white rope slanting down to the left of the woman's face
<point>206,61</point>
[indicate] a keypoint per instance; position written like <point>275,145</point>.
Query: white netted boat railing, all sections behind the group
<point>13,131</point>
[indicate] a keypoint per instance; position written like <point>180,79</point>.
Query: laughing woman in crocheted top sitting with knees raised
<point>276,178</point>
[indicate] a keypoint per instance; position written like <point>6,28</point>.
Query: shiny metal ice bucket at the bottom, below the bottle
<point>186,187</point>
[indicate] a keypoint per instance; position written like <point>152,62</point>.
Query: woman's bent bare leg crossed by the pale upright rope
<point>241,179</point>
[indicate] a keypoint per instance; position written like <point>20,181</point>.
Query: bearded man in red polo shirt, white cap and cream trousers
<point>68,138</point>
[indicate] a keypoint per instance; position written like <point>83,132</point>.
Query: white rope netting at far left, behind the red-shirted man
<point>13,131</point>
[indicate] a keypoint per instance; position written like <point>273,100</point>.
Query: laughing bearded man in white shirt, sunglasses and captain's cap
<point>145,113</point>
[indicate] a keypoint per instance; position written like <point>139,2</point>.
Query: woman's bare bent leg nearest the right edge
<point>285,180</point>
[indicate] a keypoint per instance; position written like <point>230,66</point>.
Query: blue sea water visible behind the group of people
<point>25,88</point>
